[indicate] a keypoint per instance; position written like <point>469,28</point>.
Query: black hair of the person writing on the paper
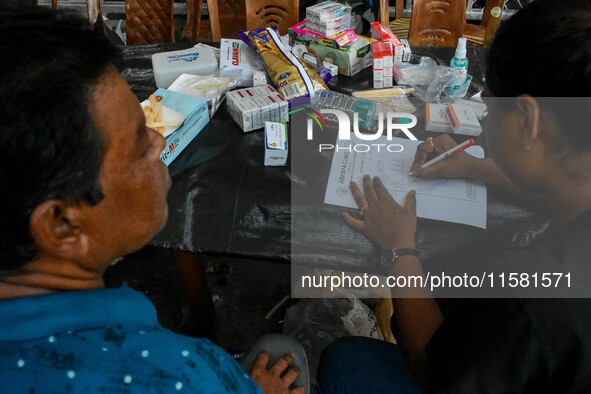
<point>544,50</point>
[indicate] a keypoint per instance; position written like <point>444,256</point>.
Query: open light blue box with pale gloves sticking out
<point>196,114</point>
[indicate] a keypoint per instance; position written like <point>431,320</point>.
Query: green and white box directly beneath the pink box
<point>349,59</point>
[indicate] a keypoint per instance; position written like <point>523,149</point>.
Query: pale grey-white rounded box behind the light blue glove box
<point>168,66</point>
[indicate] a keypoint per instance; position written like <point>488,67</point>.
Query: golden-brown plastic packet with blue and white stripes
<point>292,77</point>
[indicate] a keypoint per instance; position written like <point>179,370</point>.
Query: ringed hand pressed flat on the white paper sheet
<point>384,220</point>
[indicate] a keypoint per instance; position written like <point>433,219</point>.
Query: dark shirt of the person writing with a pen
<point>524,344</point>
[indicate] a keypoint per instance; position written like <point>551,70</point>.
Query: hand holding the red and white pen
<point>456,166</point>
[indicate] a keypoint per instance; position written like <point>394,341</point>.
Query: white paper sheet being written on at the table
<point>451,200</point>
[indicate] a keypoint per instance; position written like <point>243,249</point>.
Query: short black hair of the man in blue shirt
<point>49,148</point>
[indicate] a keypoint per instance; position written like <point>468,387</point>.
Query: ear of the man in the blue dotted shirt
<point>57,231</point>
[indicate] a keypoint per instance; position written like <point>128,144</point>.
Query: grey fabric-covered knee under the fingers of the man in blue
<point>279,345</point>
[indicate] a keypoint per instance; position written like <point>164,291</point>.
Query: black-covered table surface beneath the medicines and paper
<point>224,200</point>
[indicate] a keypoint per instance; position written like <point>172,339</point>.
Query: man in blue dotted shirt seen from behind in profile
<point>82,183</point>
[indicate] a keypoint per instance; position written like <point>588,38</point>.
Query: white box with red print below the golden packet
<point>252,107</point>
